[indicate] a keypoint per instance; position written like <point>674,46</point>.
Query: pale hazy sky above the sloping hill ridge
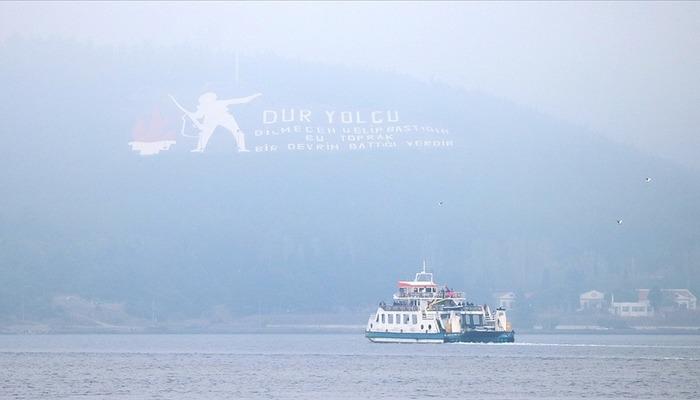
<point>626,70</point>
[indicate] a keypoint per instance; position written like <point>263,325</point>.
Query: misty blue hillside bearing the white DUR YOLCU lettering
<point>495,196</point>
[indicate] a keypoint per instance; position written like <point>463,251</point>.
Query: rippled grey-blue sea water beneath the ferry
<point>347,366</point>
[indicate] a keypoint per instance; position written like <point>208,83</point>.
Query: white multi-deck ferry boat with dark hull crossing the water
<point>422,312</point>
